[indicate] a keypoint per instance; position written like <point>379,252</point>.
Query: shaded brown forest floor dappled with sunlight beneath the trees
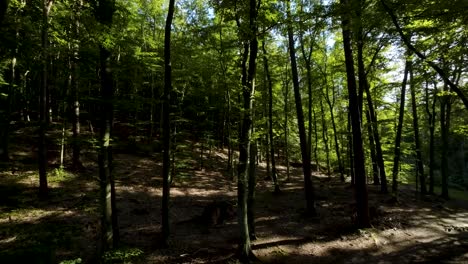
<point>65,225</point>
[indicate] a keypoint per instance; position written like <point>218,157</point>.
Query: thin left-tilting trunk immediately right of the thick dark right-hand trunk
<point>376,136</point>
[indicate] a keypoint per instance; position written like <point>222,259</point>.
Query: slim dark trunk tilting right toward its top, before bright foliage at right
<point>397,151</point>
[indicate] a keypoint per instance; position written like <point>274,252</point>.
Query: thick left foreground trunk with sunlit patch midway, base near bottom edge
<point>109,225</point>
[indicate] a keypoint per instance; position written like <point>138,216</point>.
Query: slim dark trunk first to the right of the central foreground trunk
<point>270,119</point>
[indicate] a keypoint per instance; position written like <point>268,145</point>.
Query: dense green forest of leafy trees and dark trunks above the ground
<point>363,91</point>
